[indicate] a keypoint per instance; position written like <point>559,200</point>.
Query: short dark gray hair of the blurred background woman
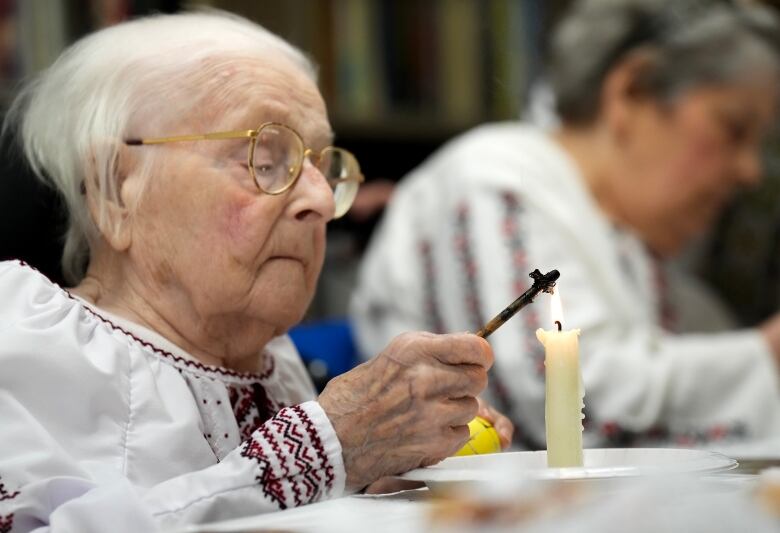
<point>694,42</point>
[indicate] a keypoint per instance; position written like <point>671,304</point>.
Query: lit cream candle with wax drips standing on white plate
<point>564,393</point>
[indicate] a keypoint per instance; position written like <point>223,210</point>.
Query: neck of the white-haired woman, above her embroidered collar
<point>220,340</point>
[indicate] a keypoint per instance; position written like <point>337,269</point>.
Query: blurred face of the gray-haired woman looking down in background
<point>682,162</point>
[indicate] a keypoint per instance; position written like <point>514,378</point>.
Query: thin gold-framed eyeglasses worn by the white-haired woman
<point>275,160</point>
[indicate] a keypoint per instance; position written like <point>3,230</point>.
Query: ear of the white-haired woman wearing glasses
<point>111,204</point>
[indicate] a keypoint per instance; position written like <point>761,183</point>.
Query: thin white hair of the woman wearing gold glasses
<point>71,118</point>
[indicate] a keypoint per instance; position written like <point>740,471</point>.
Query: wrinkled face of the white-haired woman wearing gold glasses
<point>205,234</point>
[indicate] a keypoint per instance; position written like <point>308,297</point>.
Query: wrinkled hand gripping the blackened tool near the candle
<point>409,406</point>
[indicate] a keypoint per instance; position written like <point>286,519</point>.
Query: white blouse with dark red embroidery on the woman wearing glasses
<point>107,426</point>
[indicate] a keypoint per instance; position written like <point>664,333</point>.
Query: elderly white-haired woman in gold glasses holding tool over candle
<point>193,153</point>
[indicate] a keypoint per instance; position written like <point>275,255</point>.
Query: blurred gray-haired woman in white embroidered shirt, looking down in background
<point>663,105</point>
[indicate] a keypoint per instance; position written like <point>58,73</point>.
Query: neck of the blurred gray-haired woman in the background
<point>593,154</point>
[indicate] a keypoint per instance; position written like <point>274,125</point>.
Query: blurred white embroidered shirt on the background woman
<point>456,246</point>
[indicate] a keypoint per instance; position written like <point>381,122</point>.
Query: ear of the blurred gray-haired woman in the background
<point>625,92</point>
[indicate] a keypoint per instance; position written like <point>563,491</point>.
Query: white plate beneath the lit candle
<point>599,463</point>
